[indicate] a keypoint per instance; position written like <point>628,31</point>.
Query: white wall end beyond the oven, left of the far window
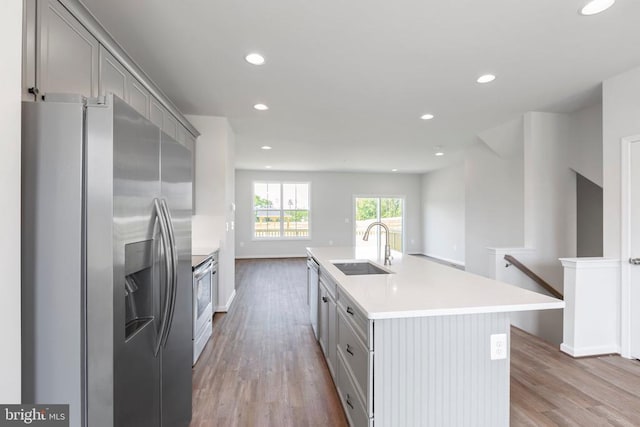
<point>214,218</point>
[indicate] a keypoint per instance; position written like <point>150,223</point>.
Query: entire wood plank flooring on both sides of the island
<point>263,367</point>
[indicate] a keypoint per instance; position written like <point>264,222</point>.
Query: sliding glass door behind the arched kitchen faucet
<point>388,210</point>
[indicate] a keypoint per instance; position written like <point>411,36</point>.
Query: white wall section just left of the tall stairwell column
<point>494,202</point>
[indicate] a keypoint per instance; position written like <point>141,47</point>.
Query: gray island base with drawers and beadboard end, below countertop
<point>415,371</point>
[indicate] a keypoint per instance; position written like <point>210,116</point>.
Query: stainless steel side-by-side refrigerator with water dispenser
<point>106,264</point>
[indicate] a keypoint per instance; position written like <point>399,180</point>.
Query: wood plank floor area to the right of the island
<point>550,388</point>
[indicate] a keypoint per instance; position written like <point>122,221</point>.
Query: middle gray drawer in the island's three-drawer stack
<point>355,355</point>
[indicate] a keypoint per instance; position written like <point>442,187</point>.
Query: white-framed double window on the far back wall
<point>281,210</point>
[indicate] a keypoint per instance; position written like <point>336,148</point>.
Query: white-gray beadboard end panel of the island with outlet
<point>437,371</point>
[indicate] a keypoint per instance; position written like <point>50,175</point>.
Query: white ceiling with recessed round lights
<point>346,81</point>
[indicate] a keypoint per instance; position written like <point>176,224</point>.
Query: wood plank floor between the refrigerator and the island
<point>263,366</point>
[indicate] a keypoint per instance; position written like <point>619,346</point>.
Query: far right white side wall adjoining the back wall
<point>443,214</point>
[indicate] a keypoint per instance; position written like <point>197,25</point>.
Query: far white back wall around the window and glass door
<point>331,209</point>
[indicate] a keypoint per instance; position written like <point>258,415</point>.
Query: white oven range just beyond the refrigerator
<point>202,304</point>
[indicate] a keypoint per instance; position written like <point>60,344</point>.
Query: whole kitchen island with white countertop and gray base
<point>424,345</point>
